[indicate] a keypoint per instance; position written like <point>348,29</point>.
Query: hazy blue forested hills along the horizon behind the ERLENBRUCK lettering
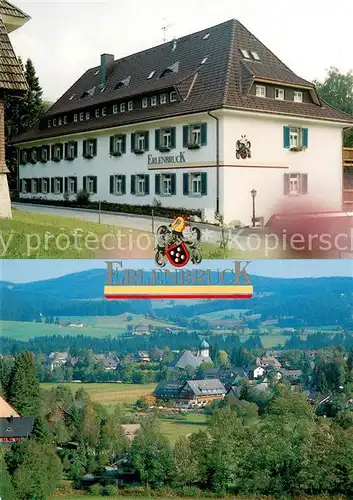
<point>314,301</point>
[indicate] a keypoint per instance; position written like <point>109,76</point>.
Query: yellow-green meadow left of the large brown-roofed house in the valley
<point>110,394</point>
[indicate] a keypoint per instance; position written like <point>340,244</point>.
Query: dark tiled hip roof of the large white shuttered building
<point>222,82</point>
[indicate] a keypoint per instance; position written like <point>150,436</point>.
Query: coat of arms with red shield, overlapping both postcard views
<point>178,243</point>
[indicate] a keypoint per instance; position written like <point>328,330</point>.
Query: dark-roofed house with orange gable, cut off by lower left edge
<point>13,427</point>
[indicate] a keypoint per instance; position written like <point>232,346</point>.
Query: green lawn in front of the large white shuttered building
<point>31,235</point>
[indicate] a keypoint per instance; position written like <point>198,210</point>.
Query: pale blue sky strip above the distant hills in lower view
<point>22,271</point>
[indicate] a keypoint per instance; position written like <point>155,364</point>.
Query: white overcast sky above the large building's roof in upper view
<point>64,38</point>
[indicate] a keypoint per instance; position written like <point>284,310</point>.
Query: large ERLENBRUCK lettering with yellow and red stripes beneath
<point>178,283</point>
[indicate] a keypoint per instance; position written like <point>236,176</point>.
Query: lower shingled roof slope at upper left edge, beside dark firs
<point>11,74</point>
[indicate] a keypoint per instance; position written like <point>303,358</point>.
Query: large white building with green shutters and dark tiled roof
<point>190,123</point>
